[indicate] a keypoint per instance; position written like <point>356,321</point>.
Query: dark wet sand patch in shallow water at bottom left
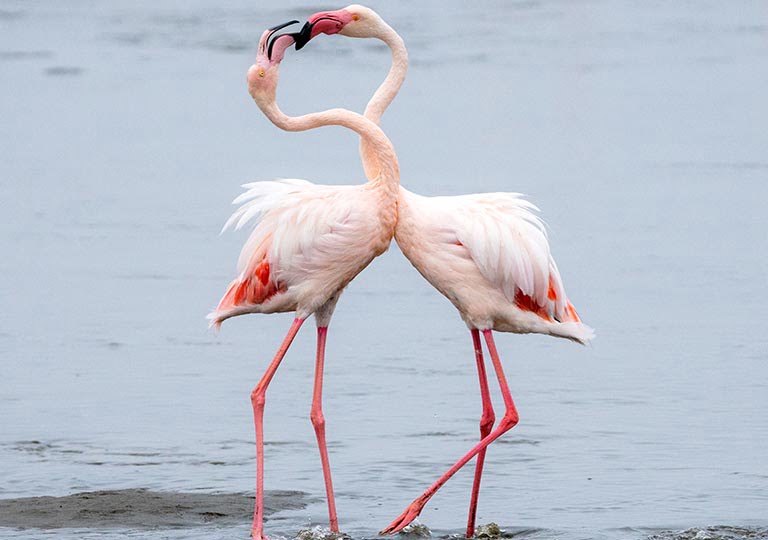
<point>139,509</point>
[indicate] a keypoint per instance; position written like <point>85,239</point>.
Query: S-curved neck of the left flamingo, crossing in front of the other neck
<point>387,174</point>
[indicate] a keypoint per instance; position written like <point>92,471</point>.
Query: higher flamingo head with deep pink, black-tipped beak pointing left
<point>352,21</point>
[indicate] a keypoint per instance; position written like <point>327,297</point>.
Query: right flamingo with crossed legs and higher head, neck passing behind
<point>487,253</point>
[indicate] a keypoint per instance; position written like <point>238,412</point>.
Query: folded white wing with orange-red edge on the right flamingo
<point>508,242</point>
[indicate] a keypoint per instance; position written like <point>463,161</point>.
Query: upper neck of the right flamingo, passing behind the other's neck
<point>384,94</point>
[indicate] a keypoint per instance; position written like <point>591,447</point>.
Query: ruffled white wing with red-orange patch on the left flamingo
<point>300,230</point>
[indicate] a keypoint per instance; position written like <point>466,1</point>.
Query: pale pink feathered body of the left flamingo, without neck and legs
<point>309,241</point>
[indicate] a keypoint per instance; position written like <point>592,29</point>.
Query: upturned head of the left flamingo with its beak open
<point>262,75</point>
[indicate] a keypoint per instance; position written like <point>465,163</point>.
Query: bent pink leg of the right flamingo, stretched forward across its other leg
<point>507,422</point>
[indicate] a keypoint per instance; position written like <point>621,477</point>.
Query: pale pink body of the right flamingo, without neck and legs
<point>489,255</point>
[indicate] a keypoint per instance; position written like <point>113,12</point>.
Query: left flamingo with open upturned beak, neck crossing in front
<point>308,243</point>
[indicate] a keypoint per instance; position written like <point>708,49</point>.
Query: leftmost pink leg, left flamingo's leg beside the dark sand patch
<point>258,400</point>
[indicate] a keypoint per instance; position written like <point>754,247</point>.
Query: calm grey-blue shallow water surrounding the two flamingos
<point>639,129</point>
